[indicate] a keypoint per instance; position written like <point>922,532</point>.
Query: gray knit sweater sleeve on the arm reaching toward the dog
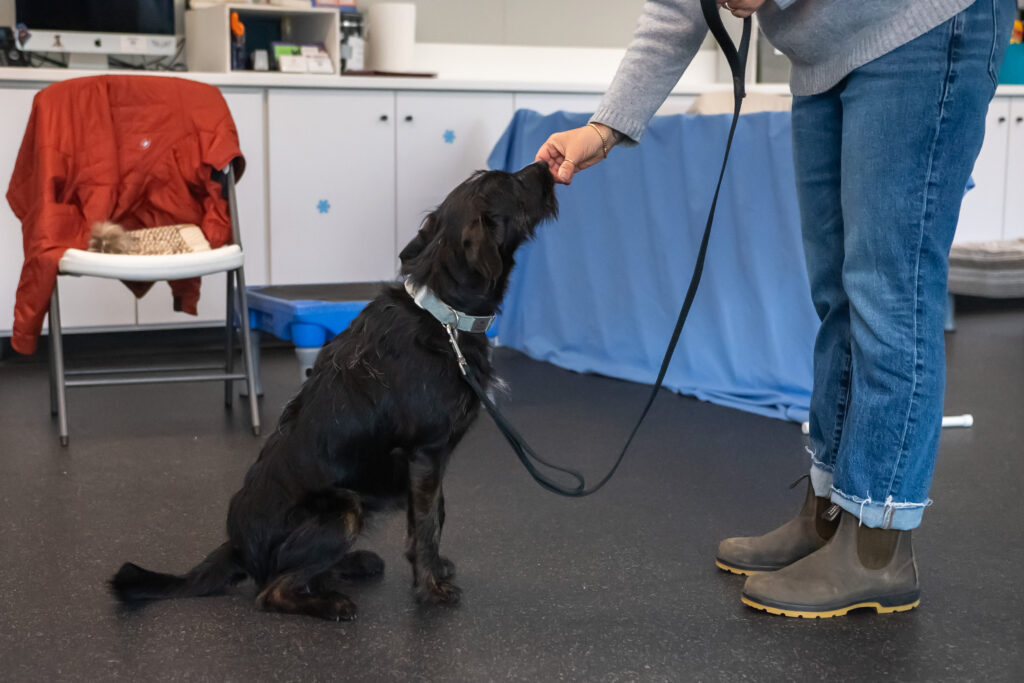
<point>668,36</point>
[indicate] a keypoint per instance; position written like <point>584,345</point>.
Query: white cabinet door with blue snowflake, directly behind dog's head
<point>443,138</point>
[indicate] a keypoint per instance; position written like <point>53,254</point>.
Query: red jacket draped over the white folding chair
<point>137,150</point>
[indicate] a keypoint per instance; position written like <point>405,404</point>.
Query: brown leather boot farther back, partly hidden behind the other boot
<point>796,539</point>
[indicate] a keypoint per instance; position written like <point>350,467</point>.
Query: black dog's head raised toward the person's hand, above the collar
<point>465,249</point>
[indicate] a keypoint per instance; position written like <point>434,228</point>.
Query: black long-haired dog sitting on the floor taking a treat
<point>375,424</point>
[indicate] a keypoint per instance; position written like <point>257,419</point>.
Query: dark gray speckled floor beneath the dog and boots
<point>619,587</point>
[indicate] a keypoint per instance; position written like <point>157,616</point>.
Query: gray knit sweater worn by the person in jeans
<point>825,39</point>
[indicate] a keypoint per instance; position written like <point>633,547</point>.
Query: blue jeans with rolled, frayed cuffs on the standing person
<point>882,161</point>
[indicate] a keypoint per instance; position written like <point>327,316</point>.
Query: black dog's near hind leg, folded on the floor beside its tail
<point>304,584</point>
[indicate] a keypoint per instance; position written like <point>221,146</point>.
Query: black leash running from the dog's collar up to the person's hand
<point>738,64</point>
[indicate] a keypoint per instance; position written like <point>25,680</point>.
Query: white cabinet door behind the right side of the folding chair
<point>155,308</point>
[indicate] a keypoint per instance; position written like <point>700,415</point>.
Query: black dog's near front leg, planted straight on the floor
<point>432,573</point>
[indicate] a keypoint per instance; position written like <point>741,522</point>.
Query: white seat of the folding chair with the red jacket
<point>151,269</point>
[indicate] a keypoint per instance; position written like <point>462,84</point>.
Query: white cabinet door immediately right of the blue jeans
<point>982,214</point>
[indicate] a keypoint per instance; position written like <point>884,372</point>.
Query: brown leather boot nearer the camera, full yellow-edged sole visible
<point>860,568</point>
